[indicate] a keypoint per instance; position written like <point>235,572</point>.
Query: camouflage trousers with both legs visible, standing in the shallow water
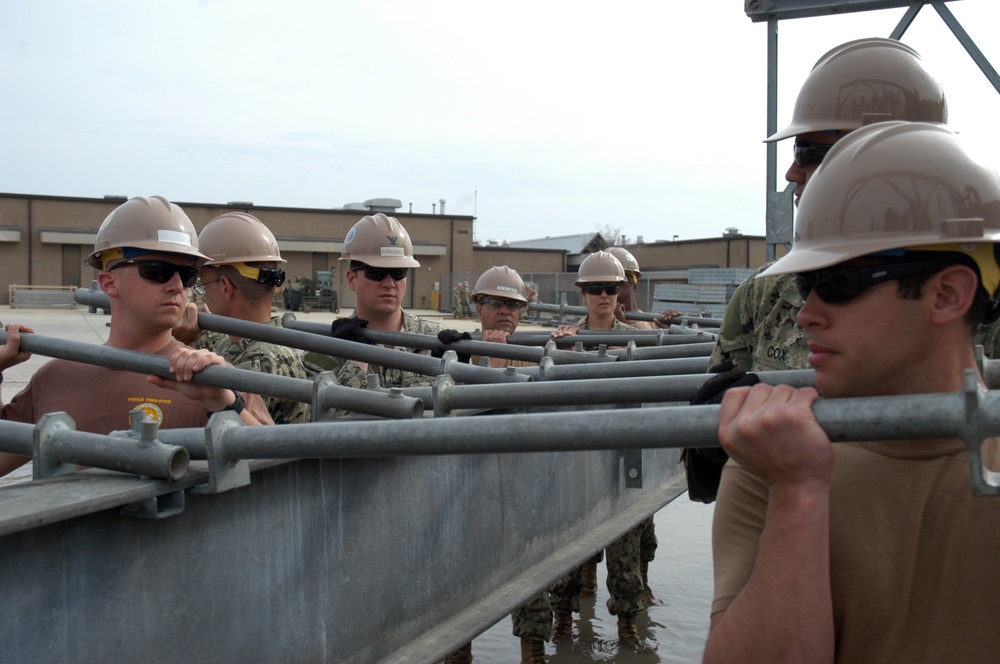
<point>624,577</point>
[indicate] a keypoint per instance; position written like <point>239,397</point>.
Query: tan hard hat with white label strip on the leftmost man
<point>145,225</point>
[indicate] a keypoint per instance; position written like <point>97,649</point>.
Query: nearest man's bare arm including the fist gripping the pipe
<point>784,613</point>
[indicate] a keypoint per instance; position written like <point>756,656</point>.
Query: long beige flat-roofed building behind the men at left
<point>45,239</point>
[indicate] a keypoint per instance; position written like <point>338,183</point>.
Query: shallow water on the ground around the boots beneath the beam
<point>674,631</point>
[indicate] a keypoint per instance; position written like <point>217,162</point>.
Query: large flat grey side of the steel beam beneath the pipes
<point>342,560</point>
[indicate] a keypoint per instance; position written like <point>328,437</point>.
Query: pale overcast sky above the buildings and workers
<point>539,117</point>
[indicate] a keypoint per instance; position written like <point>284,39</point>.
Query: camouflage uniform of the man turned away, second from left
<point>265,358</point>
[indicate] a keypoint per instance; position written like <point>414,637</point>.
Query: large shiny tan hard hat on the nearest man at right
<point>893,185</point>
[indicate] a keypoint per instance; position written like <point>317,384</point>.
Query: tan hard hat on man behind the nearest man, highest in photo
<point>865,81</point>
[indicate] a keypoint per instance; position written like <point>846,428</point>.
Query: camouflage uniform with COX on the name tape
<point>760,330</point>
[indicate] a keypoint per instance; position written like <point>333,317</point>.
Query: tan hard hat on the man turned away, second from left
<point>238,237</point>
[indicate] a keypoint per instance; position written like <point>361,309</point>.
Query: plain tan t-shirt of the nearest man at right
<point>914,557</point>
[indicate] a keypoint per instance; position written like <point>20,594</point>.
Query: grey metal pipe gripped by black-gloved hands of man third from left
<point>467,347</point>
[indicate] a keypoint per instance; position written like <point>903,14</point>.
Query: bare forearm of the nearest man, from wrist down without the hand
<point>784,613</point>
